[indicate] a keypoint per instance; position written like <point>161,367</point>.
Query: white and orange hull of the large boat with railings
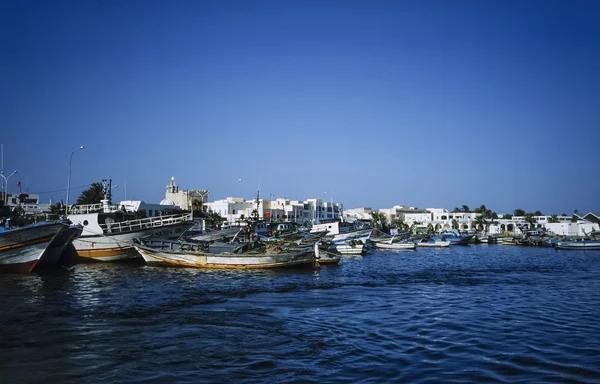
<point>119,246</point>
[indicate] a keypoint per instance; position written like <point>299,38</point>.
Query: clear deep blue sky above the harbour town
<point>373,103</point>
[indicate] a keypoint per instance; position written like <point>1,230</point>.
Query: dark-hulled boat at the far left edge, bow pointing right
<point>23,249</point>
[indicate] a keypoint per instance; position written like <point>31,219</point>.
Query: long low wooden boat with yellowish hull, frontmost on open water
<point>235,255</point>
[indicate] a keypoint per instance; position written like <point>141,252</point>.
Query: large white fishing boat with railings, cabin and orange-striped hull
<point>109,230</point>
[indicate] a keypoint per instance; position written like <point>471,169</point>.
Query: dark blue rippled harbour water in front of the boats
<point>462,314</point>
